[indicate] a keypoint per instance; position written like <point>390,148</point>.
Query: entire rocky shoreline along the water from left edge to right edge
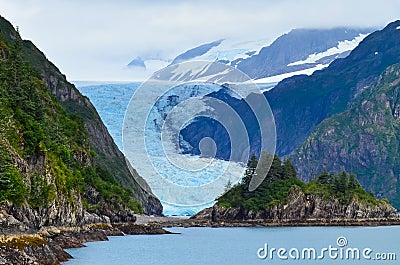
<point>47,245</point>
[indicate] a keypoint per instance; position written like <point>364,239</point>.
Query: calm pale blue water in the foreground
<point>231,246</point>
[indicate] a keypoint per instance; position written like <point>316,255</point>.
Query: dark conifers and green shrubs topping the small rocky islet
<point>279,181</point>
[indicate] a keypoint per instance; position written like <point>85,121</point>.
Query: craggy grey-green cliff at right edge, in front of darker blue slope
<point>364,140</point>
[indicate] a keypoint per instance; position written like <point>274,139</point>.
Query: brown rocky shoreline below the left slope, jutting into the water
<point>47,245</point>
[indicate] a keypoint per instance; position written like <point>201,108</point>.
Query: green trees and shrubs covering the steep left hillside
<point>36,130</point>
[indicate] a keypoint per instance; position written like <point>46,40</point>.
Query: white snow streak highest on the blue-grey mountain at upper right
<point>343,46</point>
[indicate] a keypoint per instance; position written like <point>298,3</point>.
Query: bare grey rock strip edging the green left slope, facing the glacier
<point>100,140</point>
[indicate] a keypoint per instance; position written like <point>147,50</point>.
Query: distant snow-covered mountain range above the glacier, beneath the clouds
<point>300,51</point>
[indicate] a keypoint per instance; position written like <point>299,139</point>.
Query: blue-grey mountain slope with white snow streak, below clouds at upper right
<point>301,49</point>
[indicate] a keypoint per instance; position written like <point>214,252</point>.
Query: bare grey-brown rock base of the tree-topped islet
<point>299,206</point>
